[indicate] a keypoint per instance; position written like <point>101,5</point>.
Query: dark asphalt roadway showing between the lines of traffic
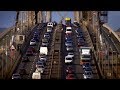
<point>30,66</point>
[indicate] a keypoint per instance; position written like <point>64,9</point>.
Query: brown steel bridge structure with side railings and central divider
<point>15,41</point>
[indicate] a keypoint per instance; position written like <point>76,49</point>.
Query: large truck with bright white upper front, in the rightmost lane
<point>85,54</point>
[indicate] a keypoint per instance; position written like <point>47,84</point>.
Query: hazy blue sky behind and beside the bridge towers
<point>7,18</point>
